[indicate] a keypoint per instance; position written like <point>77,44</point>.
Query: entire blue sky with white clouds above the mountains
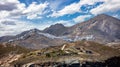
<point>17,16</point>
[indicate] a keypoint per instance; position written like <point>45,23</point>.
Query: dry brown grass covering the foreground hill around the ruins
<point>54,53</point>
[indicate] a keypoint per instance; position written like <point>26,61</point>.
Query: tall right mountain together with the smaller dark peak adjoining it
<point>102,28</point>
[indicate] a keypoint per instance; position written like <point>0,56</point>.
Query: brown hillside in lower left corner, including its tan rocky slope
<point>10,53</point>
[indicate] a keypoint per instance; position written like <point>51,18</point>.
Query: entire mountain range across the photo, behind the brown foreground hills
<point>101,28</point>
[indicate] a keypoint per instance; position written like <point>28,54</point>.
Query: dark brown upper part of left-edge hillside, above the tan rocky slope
<point>12,49</point>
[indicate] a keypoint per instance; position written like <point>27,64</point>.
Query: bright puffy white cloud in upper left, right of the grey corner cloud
<point>35,10</point>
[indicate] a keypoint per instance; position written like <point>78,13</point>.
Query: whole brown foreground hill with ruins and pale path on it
<point>77,51</point>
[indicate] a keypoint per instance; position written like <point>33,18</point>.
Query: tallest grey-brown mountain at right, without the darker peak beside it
<point>102,28</point>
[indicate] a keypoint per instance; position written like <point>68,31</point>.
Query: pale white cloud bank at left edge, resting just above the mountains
<point>13,27</point>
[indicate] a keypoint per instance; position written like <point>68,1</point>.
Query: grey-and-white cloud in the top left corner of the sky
<point>10,7</point>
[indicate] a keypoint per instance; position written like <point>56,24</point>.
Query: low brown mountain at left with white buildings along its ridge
<point>34,39</point>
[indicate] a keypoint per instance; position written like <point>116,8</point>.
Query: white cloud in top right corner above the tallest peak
<point>107,6</point>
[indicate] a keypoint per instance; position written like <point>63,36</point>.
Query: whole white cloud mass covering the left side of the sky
<point>12,10</point>
